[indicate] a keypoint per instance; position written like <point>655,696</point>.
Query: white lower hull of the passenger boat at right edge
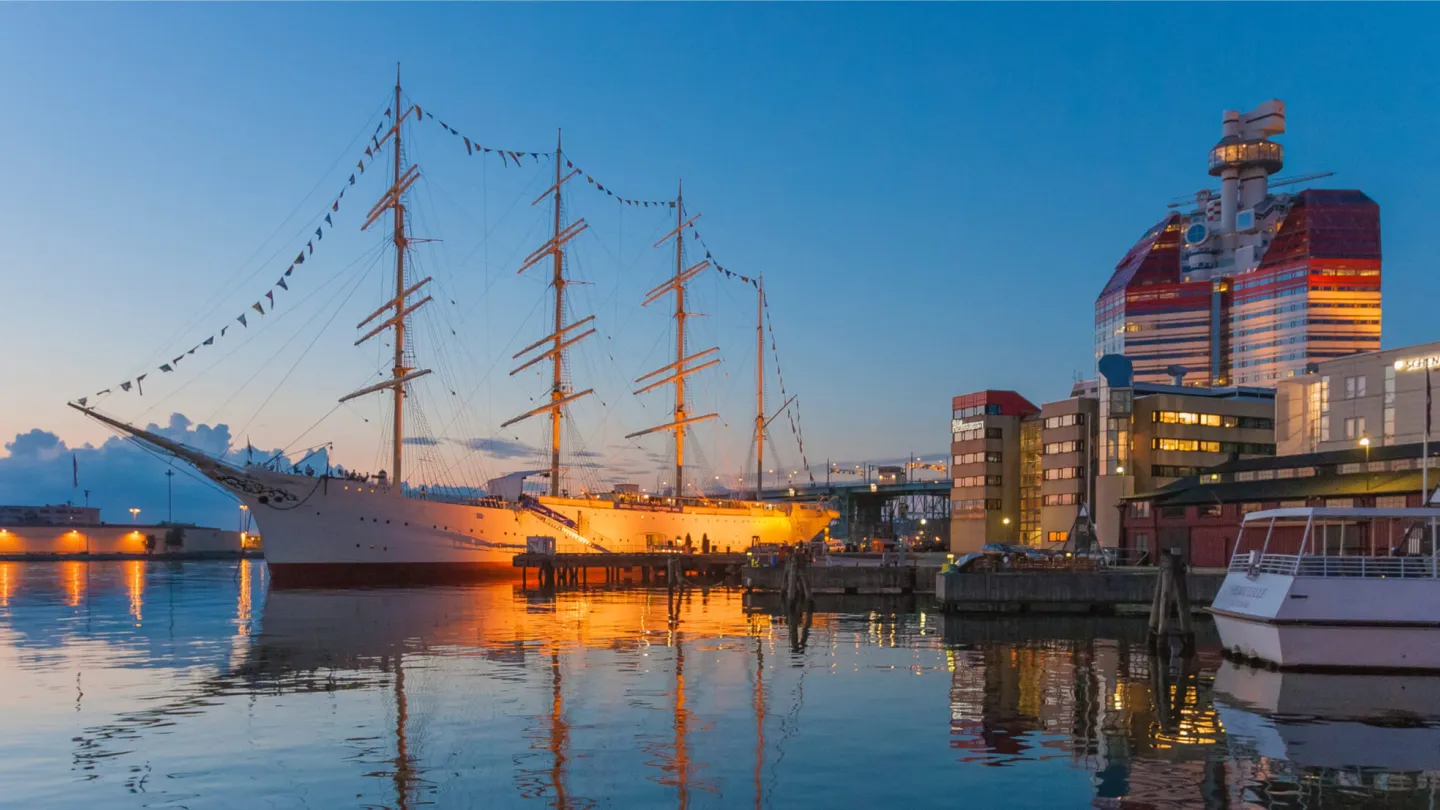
<point>1331,622</point>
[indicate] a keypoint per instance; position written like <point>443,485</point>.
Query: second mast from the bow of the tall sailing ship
<point>558,342</point>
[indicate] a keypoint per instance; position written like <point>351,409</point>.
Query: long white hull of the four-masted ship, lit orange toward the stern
<point>319,530</point>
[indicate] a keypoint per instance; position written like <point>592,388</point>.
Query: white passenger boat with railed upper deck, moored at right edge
<point>1334,589</point>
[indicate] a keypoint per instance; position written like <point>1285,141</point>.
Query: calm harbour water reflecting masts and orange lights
<point>194,685</point>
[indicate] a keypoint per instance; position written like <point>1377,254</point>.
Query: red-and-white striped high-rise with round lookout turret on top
<point>1248,288</point>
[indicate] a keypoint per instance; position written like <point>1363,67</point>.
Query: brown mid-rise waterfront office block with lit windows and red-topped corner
<point>1025,473</point>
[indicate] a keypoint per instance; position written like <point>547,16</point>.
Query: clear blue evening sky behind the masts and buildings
<point>935,192</point>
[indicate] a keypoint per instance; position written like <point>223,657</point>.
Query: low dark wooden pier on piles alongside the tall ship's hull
<point>657,569</point>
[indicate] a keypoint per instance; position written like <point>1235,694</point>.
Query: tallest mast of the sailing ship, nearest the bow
<point>400,373</point>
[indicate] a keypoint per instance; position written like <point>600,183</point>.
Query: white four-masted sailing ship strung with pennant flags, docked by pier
<point>323,528</point>
